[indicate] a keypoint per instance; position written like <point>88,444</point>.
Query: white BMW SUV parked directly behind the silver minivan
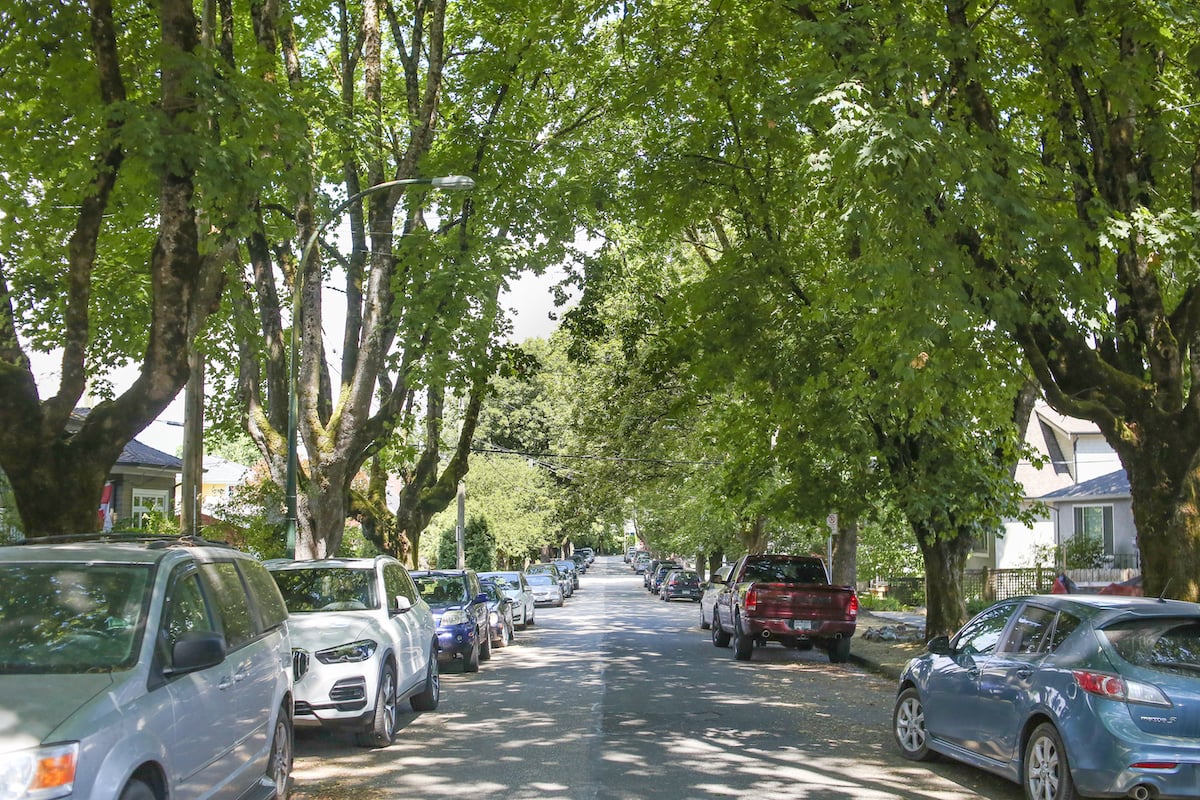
<point>365,642</point>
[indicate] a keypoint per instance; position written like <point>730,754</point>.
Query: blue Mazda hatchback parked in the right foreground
<point>1069,695</point>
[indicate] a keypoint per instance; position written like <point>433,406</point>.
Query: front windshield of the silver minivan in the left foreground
<point>73,618</point>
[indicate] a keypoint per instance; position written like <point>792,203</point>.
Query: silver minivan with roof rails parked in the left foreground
<point>142,670</point>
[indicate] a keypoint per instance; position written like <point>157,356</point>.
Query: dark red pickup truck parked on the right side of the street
<point>785,599</point>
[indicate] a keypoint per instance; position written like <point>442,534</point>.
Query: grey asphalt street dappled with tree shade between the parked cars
<point>619,696</point>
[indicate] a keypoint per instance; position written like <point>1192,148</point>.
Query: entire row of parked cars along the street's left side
<point>163,669</point>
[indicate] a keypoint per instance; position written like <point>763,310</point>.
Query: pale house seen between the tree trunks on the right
<point>1077,484</point>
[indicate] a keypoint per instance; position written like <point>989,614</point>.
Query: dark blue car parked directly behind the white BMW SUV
<point>460,611</point>
